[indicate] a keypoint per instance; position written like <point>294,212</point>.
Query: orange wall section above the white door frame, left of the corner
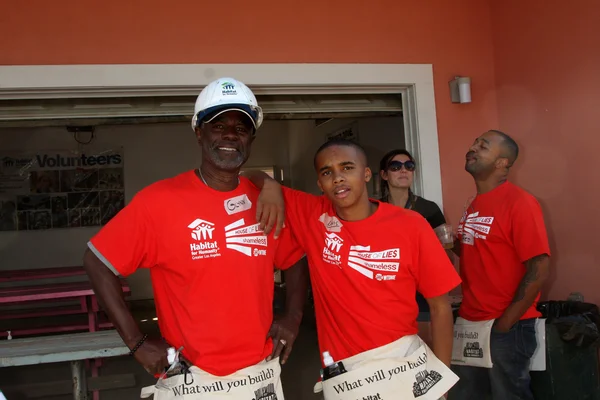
<point>453,36</point>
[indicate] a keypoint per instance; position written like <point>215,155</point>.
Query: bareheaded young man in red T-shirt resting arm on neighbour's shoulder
<point>366,258</point>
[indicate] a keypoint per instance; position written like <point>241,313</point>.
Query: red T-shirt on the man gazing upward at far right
<point>499,231</point>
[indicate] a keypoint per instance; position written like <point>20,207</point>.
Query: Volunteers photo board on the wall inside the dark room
<point>56,190</point>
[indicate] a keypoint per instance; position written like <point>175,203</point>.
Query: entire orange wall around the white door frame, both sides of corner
<point>543,59</point>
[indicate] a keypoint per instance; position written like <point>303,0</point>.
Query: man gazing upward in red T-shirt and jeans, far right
<point>504,261</point>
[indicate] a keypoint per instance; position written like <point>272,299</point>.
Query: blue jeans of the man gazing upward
<point>509,378</point>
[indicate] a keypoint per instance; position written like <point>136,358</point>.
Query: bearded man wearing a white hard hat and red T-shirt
<point>210,263</point>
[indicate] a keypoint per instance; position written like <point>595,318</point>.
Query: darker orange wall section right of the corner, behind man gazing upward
<point>548,80</point>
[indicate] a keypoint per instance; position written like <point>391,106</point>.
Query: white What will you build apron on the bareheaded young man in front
<point>402,370</point>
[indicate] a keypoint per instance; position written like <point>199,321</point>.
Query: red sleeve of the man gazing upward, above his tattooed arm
<point>528,230</point>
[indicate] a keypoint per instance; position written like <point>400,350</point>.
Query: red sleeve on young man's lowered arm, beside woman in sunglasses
<point>435,273</point>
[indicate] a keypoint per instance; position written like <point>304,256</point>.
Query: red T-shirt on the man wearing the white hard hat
<point>211,269</point>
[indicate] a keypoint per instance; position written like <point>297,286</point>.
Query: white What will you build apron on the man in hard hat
<point>258,382</point>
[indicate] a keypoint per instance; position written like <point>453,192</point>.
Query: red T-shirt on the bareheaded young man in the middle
<point>365,273</point>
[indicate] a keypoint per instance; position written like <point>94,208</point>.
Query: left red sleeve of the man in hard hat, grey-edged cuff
<point>127,242</point>
